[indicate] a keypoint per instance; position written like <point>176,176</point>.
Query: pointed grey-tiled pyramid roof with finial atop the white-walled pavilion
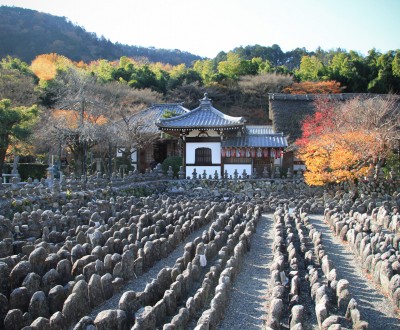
<point>203,117</point>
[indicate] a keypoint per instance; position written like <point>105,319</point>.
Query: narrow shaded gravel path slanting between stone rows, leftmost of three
<point>139,284</point>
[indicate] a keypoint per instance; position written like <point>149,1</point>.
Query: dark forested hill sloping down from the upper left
<point>26,33</point>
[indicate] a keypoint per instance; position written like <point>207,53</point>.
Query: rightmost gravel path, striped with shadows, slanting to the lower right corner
<point>374,307</point>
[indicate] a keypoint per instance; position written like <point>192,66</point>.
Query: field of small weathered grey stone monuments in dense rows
<point>67,249</point>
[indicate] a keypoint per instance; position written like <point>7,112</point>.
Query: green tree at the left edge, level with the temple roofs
<point>15,125</point>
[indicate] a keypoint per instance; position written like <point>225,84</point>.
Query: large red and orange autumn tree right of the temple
<point>343,141</point>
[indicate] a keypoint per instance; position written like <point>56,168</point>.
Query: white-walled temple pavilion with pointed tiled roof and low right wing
<point>218,144</point>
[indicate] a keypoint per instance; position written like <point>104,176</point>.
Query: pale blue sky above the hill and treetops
<point>209,26</point>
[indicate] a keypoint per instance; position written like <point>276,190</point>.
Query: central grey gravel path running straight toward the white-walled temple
<point>246,309</point>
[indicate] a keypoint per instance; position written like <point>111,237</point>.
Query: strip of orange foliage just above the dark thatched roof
<point>311,87</point>
